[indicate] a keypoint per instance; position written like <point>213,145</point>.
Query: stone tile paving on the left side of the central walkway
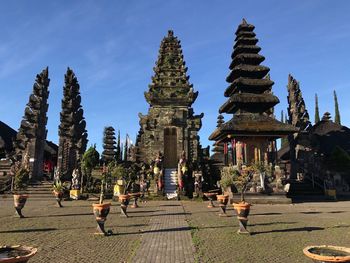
<point>66,234</point>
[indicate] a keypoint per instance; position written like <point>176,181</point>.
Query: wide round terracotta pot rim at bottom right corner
<point>327,253</point>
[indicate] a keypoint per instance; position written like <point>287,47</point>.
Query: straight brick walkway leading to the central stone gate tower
<point>168,237</point>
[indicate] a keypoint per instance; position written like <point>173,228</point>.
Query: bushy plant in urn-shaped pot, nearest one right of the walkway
<point>241,179</point>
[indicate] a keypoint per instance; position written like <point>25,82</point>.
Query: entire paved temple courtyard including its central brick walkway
<point>173,231</point>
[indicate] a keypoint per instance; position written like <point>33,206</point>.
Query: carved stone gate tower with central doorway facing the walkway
<point>170,126</point>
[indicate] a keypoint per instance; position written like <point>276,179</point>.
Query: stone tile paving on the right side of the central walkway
<point>279,232</point>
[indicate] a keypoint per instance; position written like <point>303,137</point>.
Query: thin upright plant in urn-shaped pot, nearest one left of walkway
<point>101,210</point>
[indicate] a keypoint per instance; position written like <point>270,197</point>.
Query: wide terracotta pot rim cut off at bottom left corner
<point>14,254</point>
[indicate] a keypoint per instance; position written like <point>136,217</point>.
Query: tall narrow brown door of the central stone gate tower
<point>170,148</point>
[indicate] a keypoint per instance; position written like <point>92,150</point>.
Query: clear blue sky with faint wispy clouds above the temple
<point>112,46</point>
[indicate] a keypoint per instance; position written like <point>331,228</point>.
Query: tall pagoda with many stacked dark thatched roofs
<point>252,129</point>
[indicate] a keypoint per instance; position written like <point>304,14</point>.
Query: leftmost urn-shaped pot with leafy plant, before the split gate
<point>20,185</point>
